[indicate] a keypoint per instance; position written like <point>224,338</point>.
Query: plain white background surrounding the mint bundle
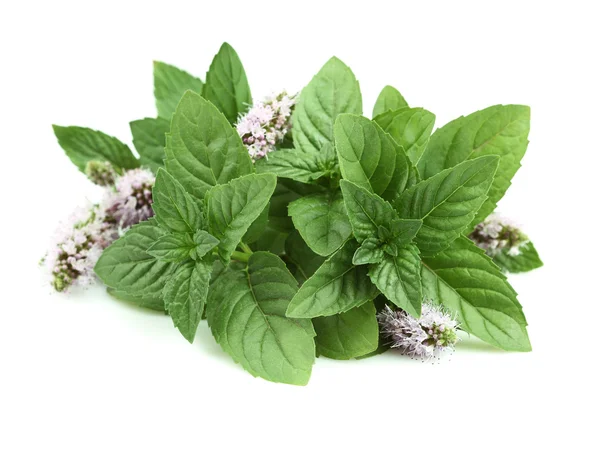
<point>84,371</point>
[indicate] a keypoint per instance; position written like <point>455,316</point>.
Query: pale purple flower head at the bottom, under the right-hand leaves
<point>430,336</point>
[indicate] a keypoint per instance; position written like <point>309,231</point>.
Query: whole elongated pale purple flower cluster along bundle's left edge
<point>79,241</point>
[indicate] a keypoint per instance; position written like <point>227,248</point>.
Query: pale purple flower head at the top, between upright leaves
<point>266,124</point>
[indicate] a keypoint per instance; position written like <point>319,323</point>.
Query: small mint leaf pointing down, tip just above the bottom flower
<point>399,279</point>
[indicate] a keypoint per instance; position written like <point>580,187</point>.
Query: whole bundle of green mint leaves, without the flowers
<point>292,255</point>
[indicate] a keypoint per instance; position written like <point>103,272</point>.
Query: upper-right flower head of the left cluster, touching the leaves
<point>131,200</point>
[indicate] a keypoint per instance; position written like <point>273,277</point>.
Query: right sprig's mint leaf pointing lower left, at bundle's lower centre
<point>337,286</point>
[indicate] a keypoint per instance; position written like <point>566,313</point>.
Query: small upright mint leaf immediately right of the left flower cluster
<point>175,209</point>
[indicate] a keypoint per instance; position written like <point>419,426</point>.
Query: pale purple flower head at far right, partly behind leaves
<point>497,234</point>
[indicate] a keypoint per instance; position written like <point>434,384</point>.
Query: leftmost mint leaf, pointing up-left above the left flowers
<point>83,145</point>
